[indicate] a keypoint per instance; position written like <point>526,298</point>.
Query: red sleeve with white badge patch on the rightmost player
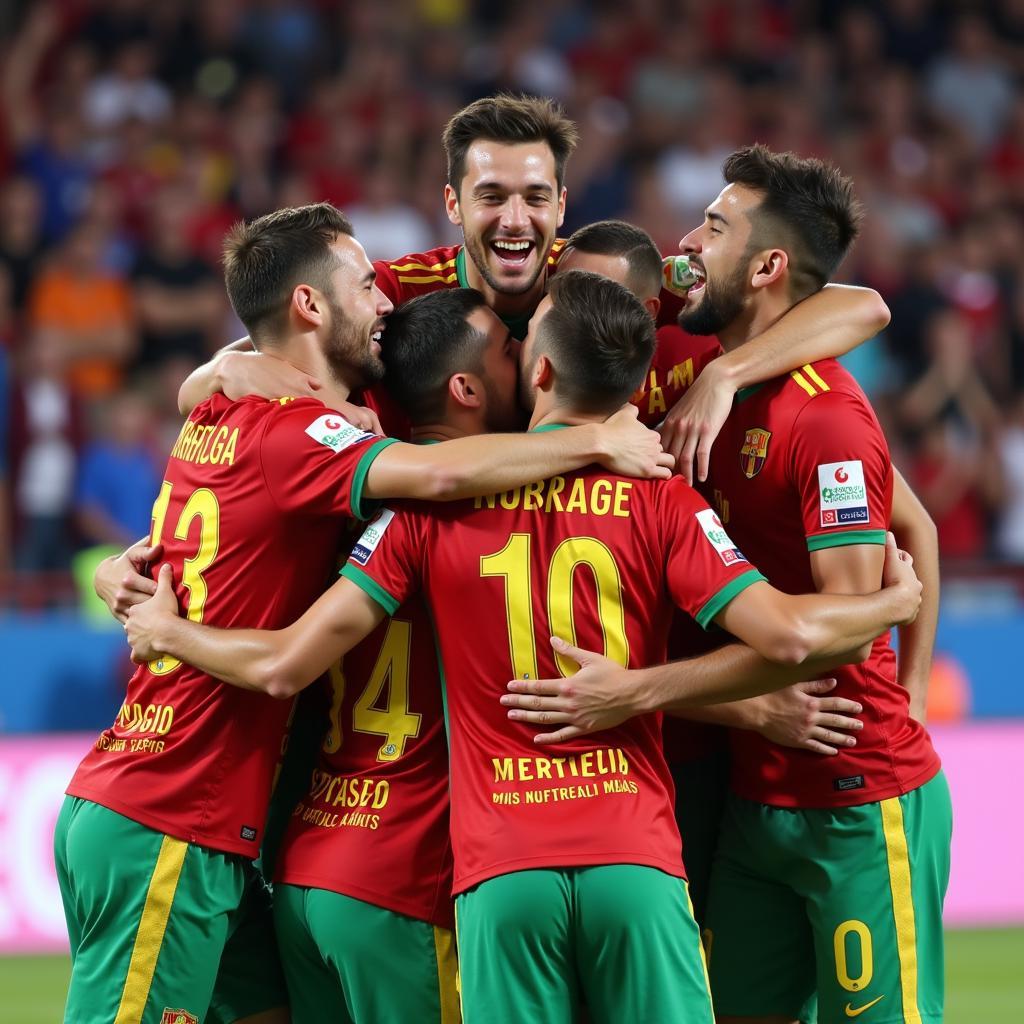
<point>841,470</point>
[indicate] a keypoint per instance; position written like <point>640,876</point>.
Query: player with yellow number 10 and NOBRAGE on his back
<point>589,837</point>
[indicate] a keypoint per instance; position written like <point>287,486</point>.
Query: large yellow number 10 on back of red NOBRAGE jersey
<point>513,563</point>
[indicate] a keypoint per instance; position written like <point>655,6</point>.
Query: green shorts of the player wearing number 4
<point>353,963</point>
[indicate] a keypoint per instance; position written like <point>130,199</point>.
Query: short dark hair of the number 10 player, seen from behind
<point>600,338</point>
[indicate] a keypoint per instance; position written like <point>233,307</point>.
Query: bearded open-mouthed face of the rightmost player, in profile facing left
<point>721,249</point>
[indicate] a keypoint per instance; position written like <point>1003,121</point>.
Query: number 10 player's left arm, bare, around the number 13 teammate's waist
<point>276,662</point>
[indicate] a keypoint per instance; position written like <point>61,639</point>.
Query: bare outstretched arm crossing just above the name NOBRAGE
<point>491,463</point>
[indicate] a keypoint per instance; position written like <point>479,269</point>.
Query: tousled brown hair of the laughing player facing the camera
<point>511,120</point>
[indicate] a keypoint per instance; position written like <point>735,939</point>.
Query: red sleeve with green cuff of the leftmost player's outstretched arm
<point>315,460</point>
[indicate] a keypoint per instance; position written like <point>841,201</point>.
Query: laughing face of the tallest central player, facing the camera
<point>509,207</point>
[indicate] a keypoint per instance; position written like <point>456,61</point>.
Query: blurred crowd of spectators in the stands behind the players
<point>134,134</point>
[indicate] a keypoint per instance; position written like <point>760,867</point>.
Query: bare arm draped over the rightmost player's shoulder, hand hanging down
<point>826,325</point>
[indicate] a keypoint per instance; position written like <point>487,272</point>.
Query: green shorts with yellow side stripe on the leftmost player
<point>158,925</point>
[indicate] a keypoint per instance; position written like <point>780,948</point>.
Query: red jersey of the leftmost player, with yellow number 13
<point>255,498</point>
